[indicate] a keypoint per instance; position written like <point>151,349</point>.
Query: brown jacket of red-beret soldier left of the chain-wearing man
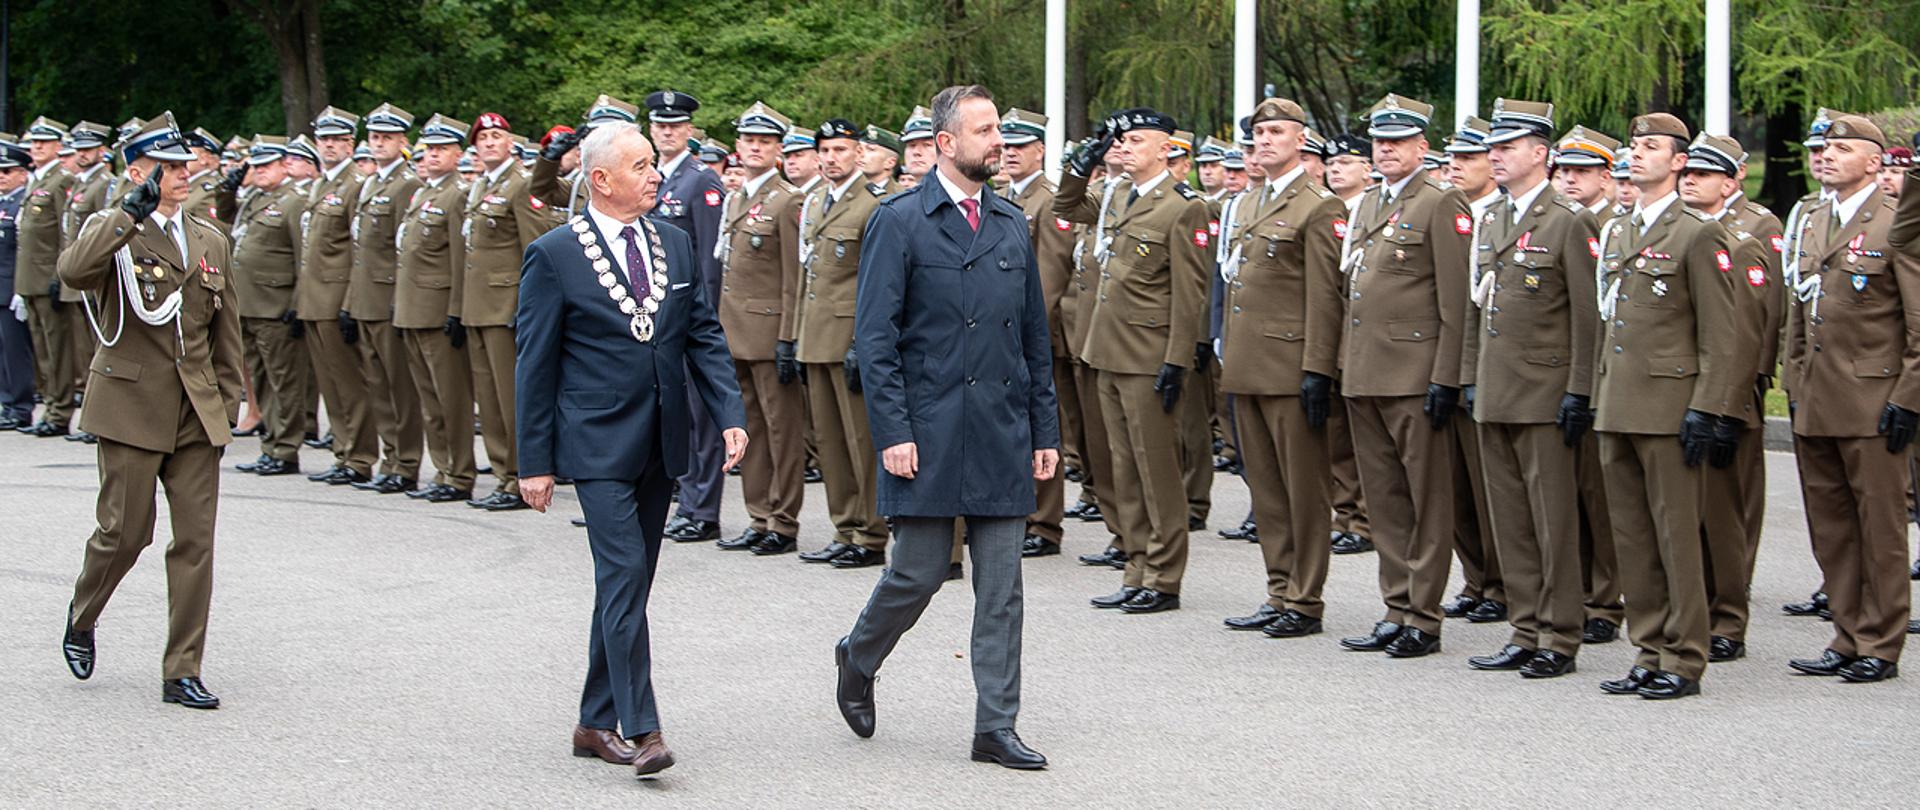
<point>502,220</point>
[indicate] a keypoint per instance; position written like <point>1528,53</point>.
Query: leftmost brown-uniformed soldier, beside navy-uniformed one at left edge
<point>41,241</point>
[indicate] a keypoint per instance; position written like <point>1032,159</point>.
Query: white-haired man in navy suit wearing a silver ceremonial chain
<point>612,331</point>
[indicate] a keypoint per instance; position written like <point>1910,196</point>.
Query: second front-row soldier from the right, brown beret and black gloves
<point>1669,366</point>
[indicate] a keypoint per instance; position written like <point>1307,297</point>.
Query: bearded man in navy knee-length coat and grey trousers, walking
<point>951,300</point>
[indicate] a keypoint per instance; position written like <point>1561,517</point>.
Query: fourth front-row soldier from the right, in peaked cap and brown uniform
<point>1401,371</point>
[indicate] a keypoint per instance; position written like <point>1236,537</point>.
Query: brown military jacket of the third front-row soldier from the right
<point>1531,339</point>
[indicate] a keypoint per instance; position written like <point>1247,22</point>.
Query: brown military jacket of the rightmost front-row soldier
<point>1852,348</point>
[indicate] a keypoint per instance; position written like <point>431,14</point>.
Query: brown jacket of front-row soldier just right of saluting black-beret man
<point>1284,302</point>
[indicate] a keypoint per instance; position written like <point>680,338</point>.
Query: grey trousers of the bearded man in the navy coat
<point>923,554</point>
